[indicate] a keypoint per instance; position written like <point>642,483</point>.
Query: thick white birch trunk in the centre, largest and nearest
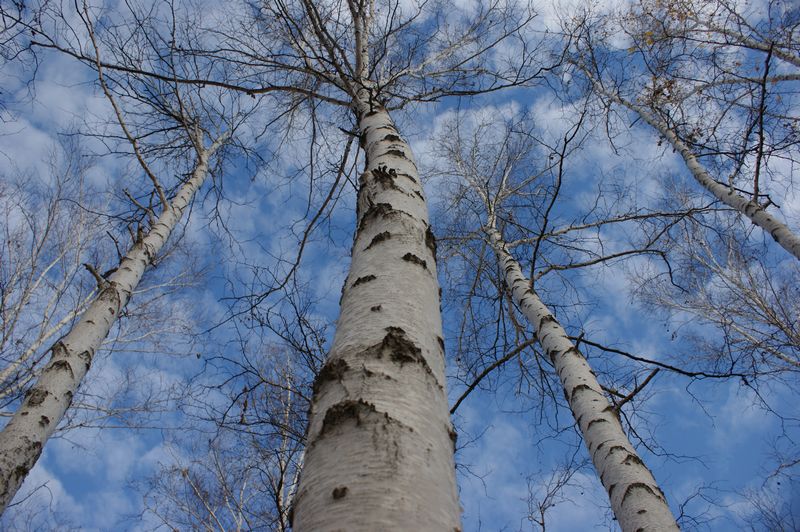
<point>379,450</point>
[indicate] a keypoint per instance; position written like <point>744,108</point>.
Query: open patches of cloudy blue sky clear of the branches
<point>714,436</point>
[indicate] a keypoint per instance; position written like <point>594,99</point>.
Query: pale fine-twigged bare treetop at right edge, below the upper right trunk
<point>725,283</point>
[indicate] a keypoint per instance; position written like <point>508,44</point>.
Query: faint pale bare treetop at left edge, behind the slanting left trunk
<point>46,239</point>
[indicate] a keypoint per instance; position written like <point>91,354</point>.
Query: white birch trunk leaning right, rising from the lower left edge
<point>22,440</point>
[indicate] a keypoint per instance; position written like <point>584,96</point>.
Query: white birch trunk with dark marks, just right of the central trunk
<point>637,501</point>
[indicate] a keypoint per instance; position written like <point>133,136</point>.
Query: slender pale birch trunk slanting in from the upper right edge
<point>757,214</point>
